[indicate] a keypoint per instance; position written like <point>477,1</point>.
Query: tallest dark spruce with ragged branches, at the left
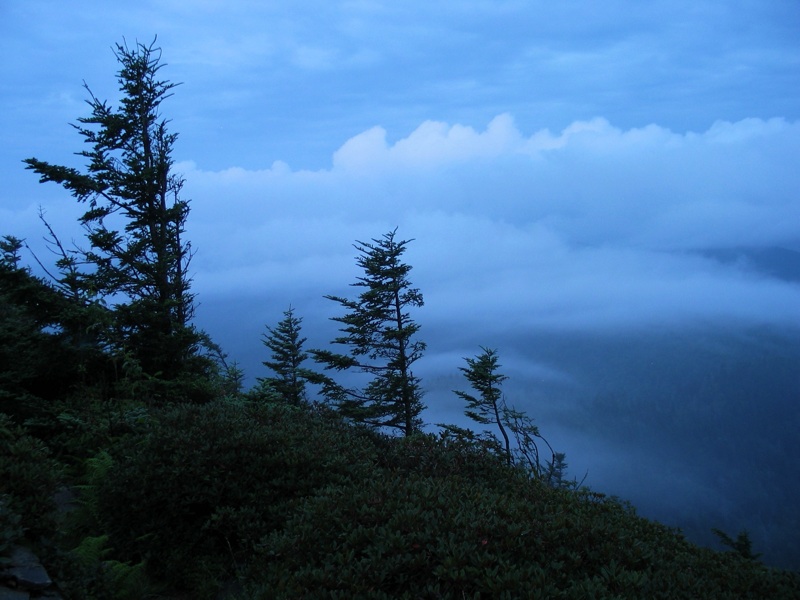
<point>137,257</point>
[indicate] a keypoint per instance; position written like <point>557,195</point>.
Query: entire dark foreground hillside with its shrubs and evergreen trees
<point>184,485</point>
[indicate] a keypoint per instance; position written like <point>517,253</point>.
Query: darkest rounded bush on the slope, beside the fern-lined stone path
<point>201,488</point>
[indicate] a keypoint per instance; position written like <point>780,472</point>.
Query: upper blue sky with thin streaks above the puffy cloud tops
<point>293,80</point>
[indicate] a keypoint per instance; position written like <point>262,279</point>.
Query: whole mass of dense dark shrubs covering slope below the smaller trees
<point>299,504</point>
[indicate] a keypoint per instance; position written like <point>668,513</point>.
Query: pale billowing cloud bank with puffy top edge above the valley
<point>592,227</point>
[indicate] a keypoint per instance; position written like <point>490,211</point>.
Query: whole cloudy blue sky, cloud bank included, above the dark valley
<point>570,166</point>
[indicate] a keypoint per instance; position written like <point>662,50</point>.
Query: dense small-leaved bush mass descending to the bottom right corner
<point>418,536</point>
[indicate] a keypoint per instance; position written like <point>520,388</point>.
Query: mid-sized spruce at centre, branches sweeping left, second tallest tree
<point>381,339</point>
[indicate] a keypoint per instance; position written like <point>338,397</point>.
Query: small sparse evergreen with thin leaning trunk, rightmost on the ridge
<point>488,406</point>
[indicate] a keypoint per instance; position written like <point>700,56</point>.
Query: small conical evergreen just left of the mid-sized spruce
<point>286,345</point>
